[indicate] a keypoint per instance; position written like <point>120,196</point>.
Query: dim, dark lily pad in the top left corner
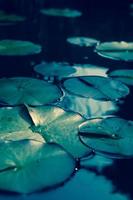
<point>6,18</point>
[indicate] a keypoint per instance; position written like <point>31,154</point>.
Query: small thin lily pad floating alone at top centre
<point>57,12</point>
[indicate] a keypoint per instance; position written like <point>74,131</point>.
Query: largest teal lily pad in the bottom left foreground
<point>27,166</point>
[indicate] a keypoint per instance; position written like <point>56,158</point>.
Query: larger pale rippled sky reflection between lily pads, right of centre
<point>87,107</point>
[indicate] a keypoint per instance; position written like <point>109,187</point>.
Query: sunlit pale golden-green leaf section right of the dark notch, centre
<point>59,126</point>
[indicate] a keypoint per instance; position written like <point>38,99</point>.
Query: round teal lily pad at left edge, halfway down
<point>22,90</point>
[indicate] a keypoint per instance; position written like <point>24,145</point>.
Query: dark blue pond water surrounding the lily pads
<point>103,20</point>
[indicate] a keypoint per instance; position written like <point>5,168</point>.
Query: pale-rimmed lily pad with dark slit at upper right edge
<point>116,50</point>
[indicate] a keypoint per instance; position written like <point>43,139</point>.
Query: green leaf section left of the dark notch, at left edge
<point>13,119</point>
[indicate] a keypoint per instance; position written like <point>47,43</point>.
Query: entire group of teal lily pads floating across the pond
<point>47,125</point>
